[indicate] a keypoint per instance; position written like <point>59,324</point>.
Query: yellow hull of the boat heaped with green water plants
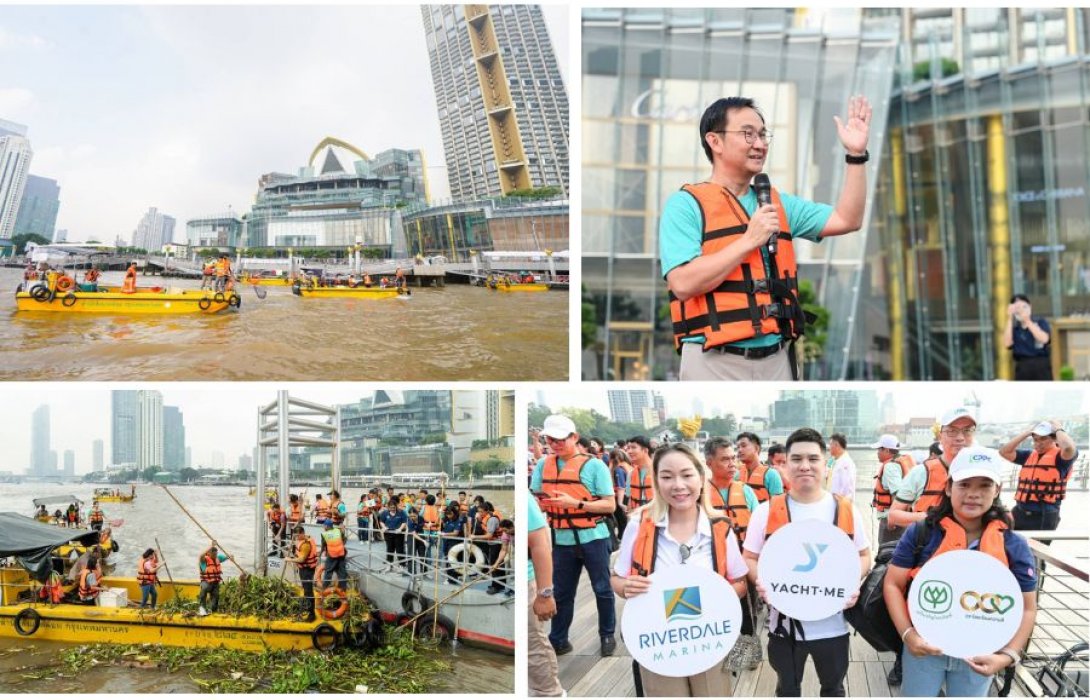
<point>22,615</point>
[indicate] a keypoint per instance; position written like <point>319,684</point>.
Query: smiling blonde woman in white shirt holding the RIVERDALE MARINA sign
<point>688,533</point>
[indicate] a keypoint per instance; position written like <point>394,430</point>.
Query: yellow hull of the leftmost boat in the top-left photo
<point>185,303</point>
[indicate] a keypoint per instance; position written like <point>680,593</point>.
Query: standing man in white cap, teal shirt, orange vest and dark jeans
<point>576,492</point>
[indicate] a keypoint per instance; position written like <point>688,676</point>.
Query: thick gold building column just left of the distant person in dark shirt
<point>999,218</point>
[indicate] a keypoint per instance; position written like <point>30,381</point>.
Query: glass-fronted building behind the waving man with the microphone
<point>977,184</point>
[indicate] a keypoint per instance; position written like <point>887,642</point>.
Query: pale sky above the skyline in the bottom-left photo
<point>217,417</point>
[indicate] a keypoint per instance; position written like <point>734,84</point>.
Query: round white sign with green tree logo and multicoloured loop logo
<point>965,604</point>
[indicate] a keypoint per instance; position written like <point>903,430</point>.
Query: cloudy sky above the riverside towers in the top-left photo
<point>184,108</point>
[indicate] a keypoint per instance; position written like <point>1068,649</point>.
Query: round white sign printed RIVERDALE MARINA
<point>686,624</point>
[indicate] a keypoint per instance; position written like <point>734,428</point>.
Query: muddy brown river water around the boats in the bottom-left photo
<point>227,513</point>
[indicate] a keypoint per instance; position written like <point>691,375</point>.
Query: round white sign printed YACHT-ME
<point>809,569</point>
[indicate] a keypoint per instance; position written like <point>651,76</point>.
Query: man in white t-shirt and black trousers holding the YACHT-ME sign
<point>792,642</point>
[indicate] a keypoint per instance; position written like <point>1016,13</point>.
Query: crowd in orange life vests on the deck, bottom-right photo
<point>625,512</point>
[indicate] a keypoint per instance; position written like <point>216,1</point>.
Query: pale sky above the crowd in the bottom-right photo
<point>999,403</point>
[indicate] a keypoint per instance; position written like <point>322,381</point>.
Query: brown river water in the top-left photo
<point>455,333</point>
